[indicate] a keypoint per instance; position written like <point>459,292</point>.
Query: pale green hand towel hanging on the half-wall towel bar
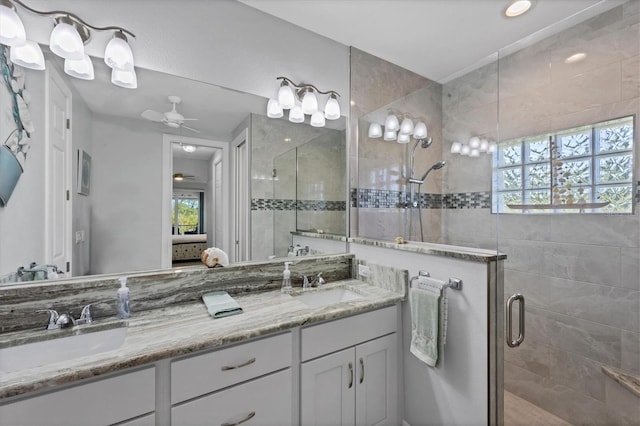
<point>428,302</point>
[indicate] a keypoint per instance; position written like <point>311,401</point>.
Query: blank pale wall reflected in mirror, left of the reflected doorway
<point>127,199</point>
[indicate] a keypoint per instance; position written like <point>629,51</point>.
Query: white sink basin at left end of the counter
<point>30,355</point>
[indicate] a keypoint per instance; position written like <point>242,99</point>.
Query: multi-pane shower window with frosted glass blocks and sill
<point>587,169</point>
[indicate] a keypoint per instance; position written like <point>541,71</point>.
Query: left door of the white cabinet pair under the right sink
<point>328,385</point>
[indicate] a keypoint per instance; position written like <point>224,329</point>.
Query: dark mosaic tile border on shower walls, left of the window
<point>384,199</point>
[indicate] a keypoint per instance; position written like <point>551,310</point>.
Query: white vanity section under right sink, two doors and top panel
<point>356,385</point>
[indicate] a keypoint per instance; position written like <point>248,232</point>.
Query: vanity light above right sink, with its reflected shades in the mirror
<point>301,99</point>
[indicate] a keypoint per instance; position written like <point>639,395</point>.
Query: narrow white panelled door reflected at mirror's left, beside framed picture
<point>58,173</point>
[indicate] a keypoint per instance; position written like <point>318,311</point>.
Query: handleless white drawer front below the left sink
<point>102,402</point>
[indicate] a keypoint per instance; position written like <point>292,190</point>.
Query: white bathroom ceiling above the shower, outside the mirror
<point>438,39</point>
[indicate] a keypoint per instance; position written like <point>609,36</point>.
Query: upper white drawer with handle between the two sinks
<point>201,374</point>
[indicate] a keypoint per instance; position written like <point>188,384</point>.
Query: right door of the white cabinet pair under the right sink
<point>377,382</point>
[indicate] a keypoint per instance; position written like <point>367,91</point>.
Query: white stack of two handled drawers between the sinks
<point>250,382</point>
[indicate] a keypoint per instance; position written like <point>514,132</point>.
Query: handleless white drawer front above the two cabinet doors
<point>321,339</point>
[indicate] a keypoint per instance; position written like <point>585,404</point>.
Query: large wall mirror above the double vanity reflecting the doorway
<point>148,186</point>
